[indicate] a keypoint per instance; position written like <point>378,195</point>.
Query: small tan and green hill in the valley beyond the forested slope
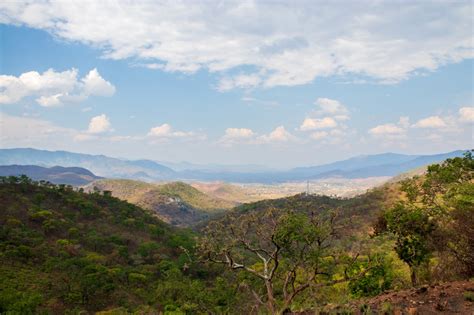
<point>176,203</point>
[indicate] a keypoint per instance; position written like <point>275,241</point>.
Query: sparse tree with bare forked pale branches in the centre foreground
<point>287,252</point>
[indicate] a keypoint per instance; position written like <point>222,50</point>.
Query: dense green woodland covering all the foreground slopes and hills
<point>68,251</point>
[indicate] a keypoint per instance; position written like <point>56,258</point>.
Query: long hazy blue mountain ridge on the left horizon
<point>99,164</point>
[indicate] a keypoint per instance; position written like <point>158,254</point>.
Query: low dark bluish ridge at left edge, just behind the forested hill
<point>58,175</point>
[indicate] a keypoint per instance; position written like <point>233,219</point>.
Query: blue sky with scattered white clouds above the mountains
<point>278,83</point>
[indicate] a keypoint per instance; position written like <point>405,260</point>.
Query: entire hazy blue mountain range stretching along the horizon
<point>386,164</point>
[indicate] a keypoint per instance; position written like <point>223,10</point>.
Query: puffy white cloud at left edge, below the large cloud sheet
<point>53,88</point>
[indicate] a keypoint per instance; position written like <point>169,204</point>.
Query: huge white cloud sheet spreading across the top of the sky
<point>278,43</point>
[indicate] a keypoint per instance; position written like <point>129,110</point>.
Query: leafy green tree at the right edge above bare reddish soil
<point>437,215</point>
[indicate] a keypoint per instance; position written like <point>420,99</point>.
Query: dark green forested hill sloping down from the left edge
<point>67,251</point>
